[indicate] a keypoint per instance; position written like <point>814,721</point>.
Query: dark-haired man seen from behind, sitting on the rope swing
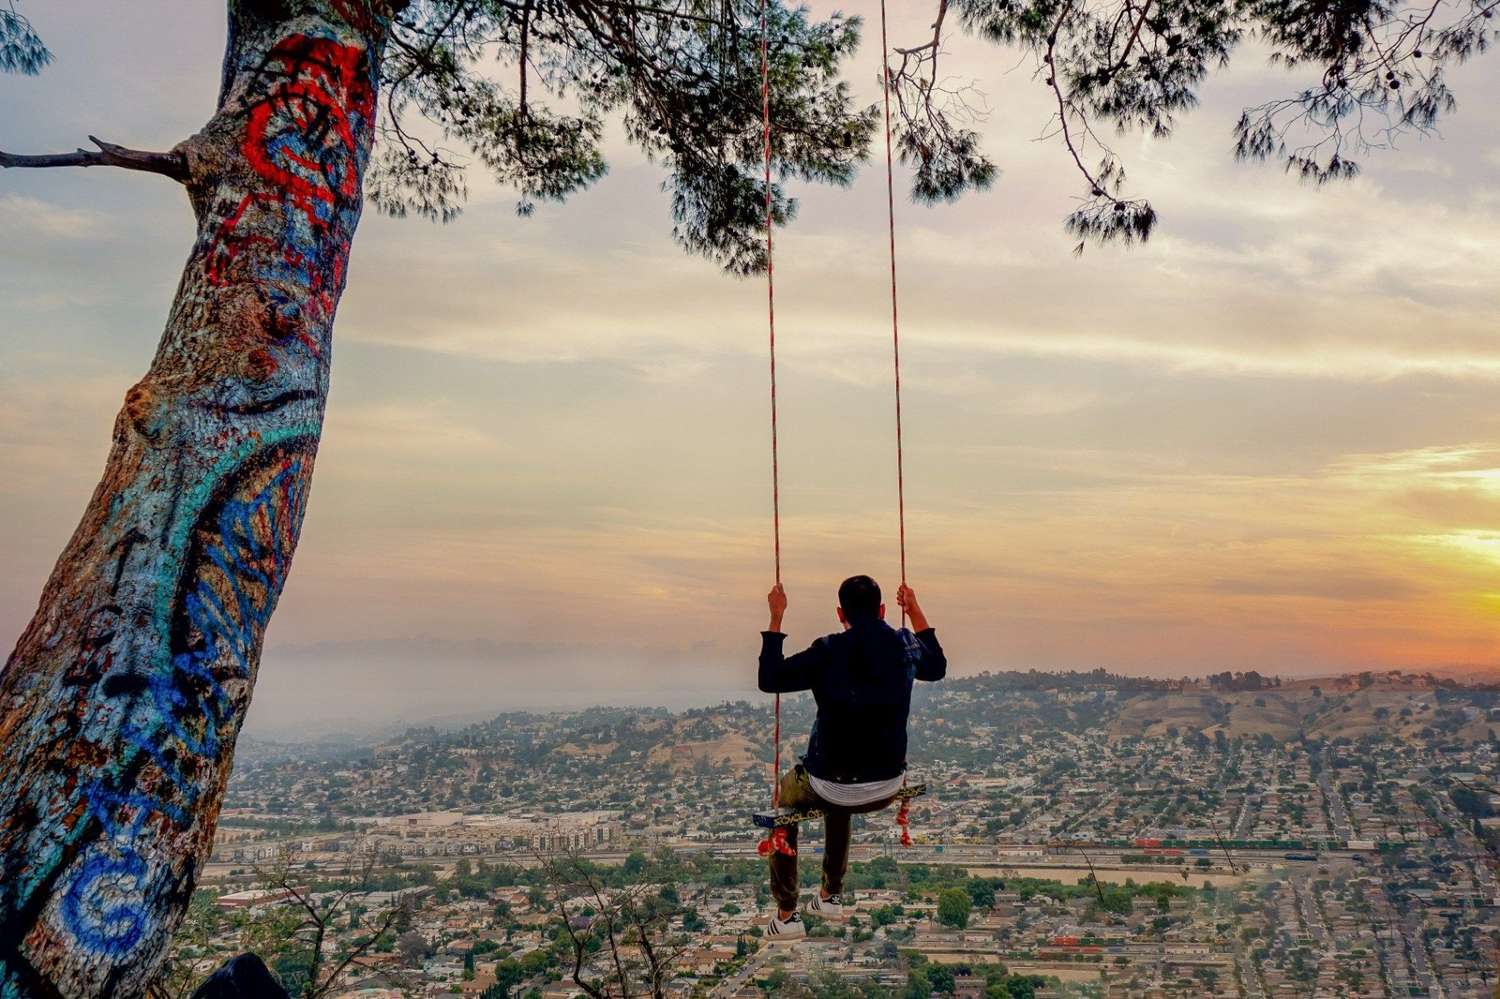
<point>862,680</point>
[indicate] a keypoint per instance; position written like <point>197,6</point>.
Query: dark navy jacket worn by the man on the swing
<point>862,680</point>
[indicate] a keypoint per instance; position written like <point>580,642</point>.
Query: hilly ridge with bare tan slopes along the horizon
<point>961,719</point>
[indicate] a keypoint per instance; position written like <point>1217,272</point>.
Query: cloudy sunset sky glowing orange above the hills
<point>1267,440</point>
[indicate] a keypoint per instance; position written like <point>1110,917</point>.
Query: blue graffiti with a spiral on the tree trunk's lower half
<point>179,722</point>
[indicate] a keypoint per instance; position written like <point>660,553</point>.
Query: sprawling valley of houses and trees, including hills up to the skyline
<point>1085,836</point>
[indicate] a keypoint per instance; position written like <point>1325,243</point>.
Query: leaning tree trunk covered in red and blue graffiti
<point>122,701</point>
